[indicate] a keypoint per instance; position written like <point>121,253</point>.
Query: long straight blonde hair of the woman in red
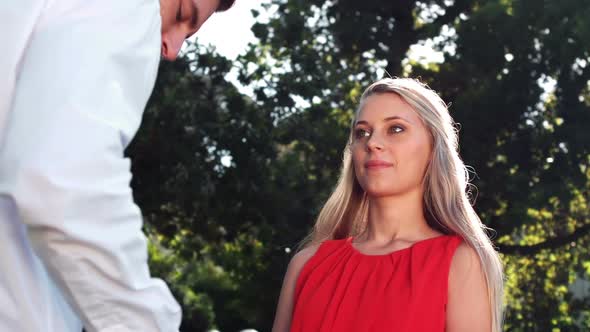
<point>446,194</point>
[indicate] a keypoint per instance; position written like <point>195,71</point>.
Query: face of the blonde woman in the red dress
<point>391,147</point>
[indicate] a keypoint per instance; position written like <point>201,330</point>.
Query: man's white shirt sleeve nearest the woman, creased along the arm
<point>85,77</point>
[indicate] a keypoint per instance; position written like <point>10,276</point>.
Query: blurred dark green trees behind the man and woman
<point>230,173</point>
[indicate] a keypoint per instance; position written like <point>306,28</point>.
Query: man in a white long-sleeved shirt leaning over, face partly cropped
<point>76,75</point>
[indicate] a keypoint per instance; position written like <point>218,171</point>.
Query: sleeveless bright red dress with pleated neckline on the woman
<point>340,289</point>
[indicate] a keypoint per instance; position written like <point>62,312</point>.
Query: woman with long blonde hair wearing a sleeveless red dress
<point>397,246</point>
